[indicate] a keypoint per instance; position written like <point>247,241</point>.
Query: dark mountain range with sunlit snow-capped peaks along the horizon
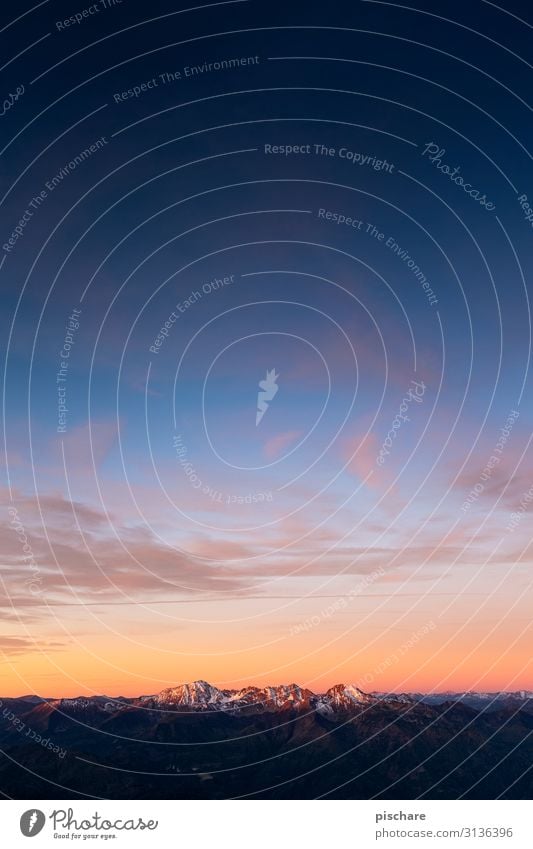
<point>196,740</point>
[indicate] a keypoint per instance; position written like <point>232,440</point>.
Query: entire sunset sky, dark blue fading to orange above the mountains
<point>324,211</point>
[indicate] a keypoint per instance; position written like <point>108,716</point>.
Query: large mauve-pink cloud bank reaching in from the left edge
<point>48,559</point>
